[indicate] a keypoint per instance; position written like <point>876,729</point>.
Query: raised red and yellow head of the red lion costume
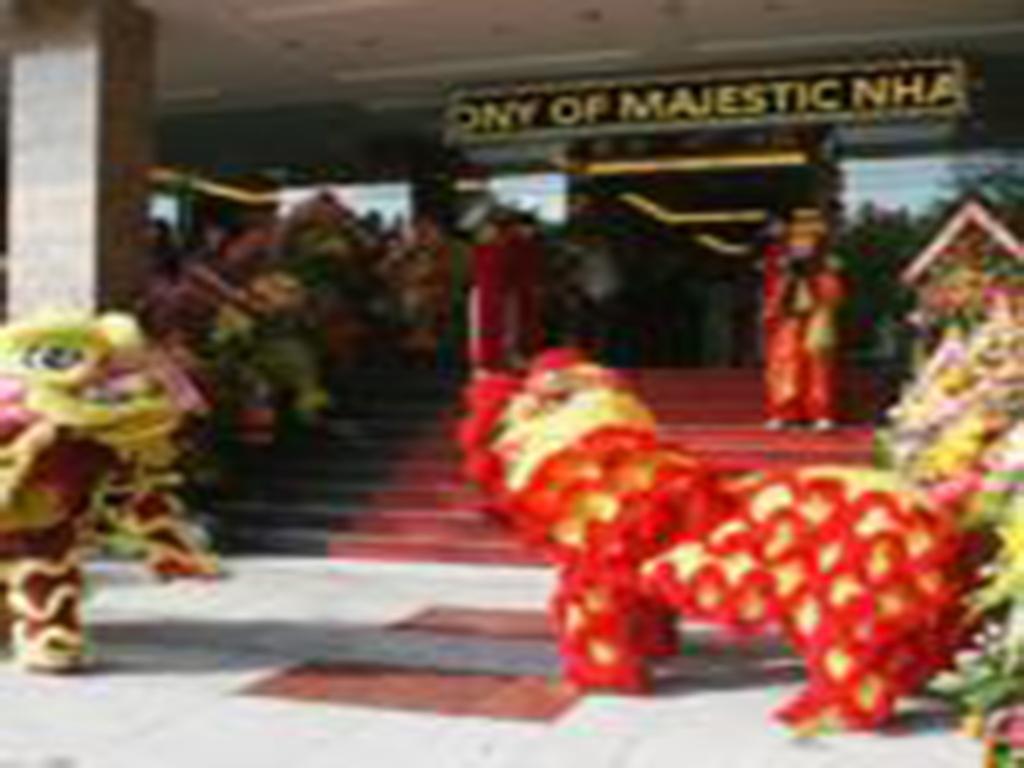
<point>570,456</point>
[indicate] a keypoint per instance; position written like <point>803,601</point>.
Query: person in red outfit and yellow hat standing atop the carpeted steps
<point>803,290</point>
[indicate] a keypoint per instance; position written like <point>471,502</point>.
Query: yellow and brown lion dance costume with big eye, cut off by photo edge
<point>88,420</point>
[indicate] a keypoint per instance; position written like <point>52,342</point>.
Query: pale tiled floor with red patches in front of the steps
<point>320,665</point>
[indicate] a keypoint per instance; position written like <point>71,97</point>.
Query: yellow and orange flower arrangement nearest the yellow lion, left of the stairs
<point>245,330</point>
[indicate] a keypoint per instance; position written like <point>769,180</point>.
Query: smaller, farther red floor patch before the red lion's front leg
<point>505,625</point>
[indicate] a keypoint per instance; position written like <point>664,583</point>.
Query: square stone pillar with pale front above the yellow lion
<point>80,134</point>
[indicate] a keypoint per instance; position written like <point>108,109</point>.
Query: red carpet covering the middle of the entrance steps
<point>425,513</point>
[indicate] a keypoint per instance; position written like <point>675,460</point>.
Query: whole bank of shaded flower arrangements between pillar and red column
<point>270,315</point>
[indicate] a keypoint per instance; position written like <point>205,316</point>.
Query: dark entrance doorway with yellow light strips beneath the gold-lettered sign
<point>682,223</point>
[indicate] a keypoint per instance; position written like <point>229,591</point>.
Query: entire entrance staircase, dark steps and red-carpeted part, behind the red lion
<point>382,481</point>
